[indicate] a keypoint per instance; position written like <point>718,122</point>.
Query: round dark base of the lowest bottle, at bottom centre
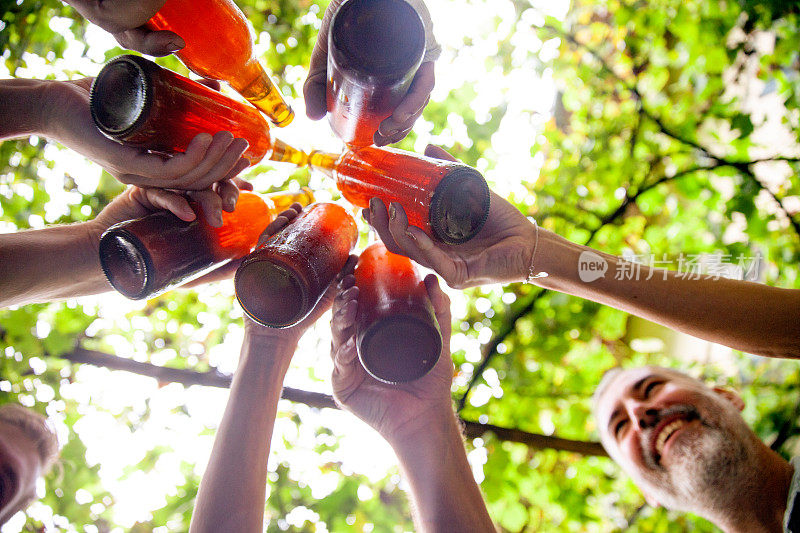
<point>414,346</point>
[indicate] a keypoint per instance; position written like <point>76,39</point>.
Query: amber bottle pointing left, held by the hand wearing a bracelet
<point>447,199</point>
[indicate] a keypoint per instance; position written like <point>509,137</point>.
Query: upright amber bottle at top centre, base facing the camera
<point>374,50</point>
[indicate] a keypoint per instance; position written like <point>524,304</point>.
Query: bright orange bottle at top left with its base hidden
<point>219,45</point>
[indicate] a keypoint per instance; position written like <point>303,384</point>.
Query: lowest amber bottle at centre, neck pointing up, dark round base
<point>397,336</point>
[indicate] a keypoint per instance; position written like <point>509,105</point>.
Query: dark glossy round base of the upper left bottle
<point>120,95</point>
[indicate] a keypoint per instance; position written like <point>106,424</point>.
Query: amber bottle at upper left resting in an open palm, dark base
<point>139,103</point>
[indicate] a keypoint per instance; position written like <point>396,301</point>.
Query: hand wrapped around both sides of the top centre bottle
<point>393,128</point>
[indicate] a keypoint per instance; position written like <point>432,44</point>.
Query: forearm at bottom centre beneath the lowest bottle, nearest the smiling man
<point>444,494</point>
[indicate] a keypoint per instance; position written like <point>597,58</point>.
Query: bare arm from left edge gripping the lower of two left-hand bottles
<point>63,262</point>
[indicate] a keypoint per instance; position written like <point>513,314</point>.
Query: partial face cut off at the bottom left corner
<point>20,466</point>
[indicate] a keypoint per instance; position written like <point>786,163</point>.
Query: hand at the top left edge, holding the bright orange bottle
<point>124,19</point>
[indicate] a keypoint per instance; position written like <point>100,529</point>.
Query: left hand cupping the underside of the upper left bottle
<point>67,119</point>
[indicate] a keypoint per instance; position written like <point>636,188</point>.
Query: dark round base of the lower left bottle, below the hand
<point>125,263</point>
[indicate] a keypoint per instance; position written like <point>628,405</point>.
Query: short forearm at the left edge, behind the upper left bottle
<point>20,107</point>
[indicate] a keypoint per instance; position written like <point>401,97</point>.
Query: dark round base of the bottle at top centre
<point>378,37</point>
